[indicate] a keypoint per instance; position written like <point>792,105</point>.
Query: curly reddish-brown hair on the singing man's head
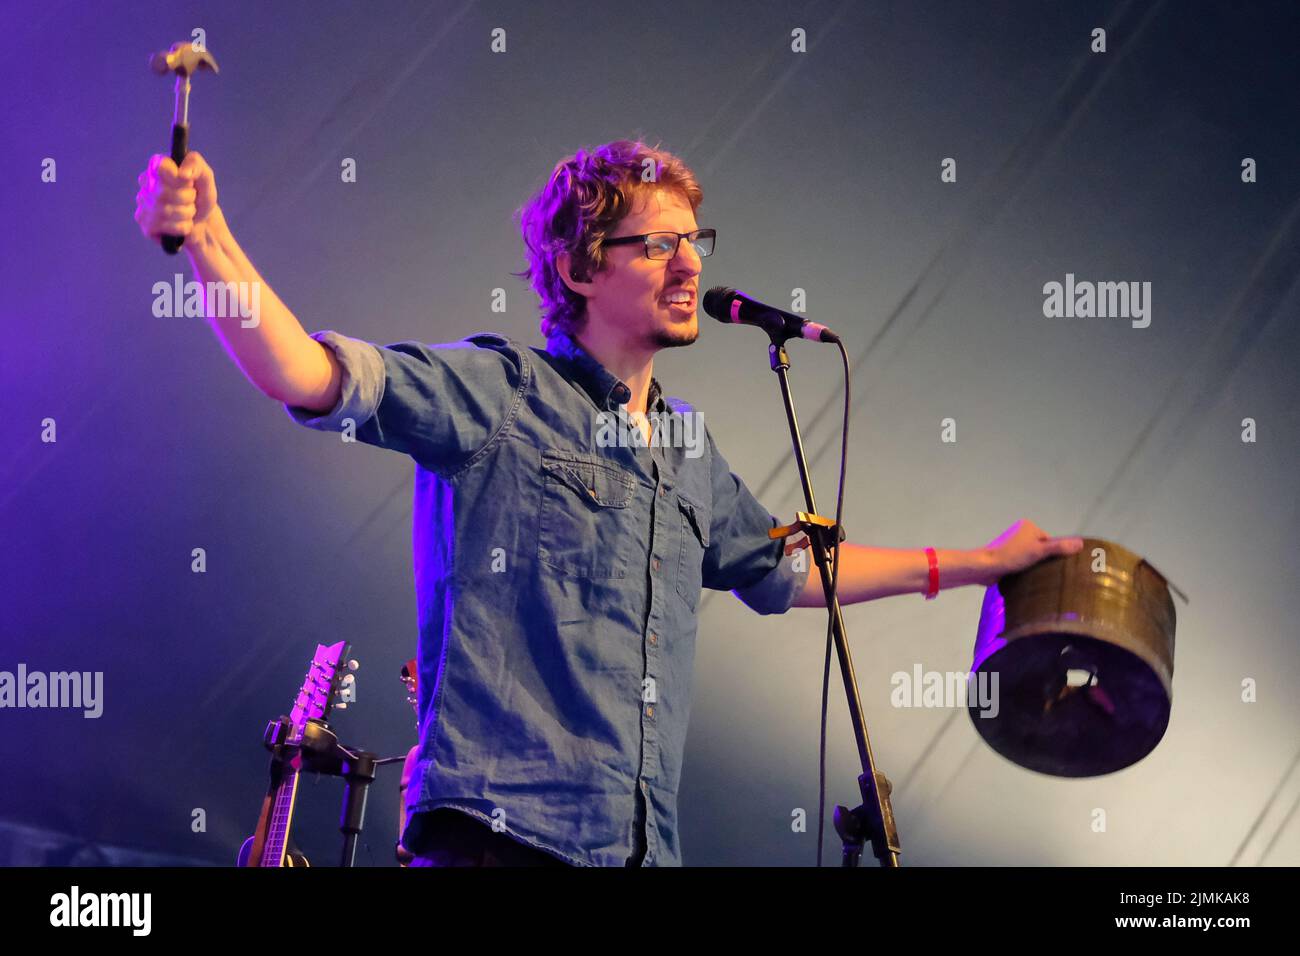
<point>587,196</point>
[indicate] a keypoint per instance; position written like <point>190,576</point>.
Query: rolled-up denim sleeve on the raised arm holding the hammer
<point>439,404</point>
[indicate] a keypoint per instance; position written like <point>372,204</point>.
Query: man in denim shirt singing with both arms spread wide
<point>557,573</point>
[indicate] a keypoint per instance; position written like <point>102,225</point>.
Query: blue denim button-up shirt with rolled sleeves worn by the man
<point>557,577</point>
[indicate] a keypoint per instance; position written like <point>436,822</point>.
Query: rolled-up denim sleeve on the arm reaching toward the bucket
<point>742,557</point>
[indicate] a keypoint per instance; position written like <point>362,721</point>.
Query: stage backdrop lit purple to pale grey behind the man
<point>913,175</point>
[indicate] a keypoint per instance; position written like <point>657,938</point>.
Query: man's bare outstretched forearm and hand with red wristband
<point>868,573</point>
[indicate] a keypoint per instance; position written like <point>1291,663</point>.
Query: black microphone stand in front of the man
<point>873,819</point>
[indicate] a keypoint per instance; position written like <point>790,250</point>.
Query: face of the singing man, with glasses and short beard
<point>631,295</point>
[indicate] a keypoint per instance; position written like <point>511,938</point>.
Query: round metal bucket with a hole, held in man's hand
<point>1084,651</point>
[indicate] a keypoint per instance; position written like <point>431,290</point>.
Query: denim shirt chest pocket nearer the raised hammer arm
<point>586,527</point>
